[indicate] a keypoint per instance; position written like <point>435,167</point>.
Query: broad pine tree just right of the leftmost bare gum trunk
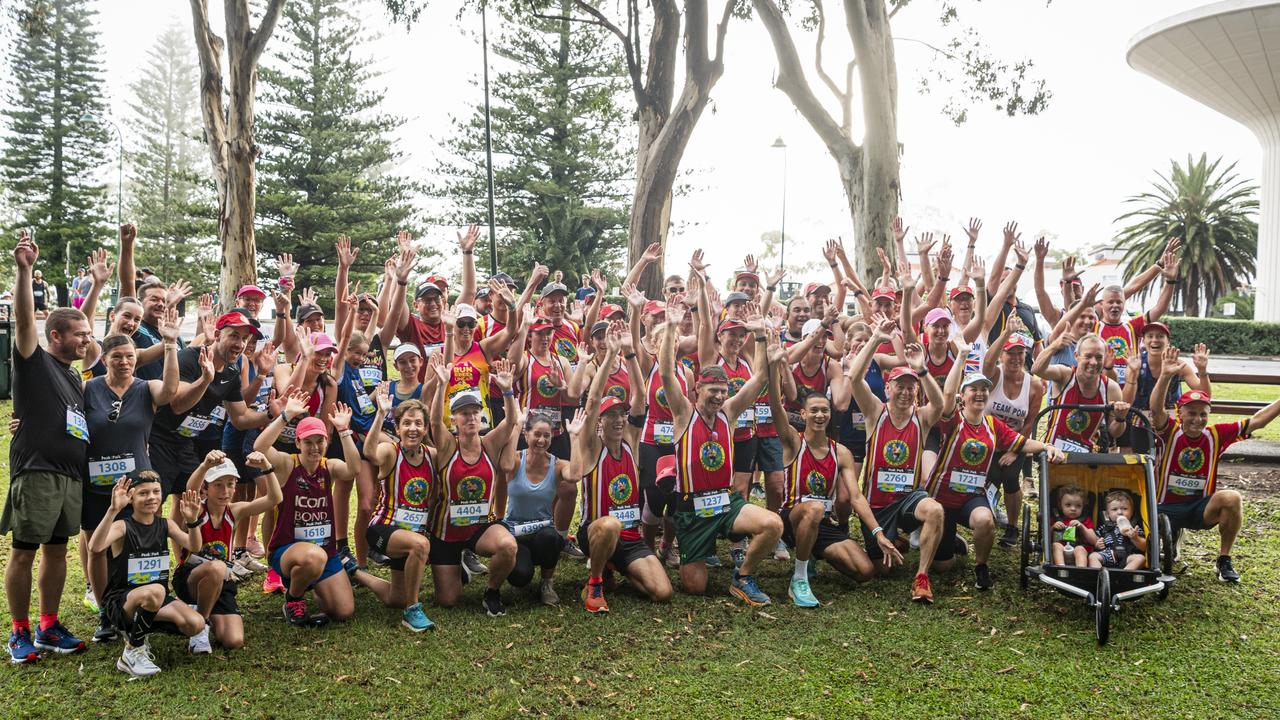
<point>328,156</point>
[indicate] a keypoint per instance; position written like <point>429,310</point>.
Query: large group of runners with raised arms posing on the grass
<point>515,409</point>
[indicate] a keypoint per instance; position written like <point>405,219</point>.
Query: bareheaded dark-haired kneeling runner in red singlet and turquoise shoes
<point>819,475</point>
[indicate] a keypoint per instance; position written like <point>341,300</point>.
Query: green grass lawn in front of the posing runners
<point>1209,651</point>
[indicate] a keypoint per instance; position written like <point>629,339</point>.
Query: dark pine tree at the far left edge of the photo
<point>56,142</point>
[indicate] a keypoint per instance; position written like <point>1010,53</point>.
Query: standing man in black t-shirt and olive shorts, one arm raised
<point>47,462</point>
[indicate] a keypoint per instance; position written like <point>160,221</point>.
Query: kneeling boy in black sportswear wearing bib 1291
<point>138,568</point>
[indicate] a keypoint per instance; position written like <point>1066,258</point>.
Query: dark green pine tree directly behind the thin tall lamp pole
<point>564,167</point>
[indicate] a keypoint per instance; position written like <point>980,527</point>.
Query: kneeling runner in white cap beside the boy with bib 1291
<point>204,576</point>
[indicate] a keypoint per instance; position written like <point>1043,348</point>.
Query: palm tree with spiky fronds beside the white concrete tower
<point>1213,212</point>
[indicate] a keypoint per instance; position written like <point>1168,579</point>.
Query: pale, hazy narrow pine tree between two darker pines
<point>172,197</point>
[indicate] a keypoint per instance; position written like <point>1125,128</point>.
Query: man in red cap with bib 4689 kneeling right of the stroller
<point>1187,487</point>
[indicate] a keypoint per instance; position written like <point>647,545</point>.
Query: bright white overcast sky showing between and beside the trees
<point>1067,171</point>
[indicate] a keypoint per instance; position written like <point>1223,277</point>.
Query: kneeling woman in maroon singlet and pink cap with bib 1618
<point>303,548</point>
